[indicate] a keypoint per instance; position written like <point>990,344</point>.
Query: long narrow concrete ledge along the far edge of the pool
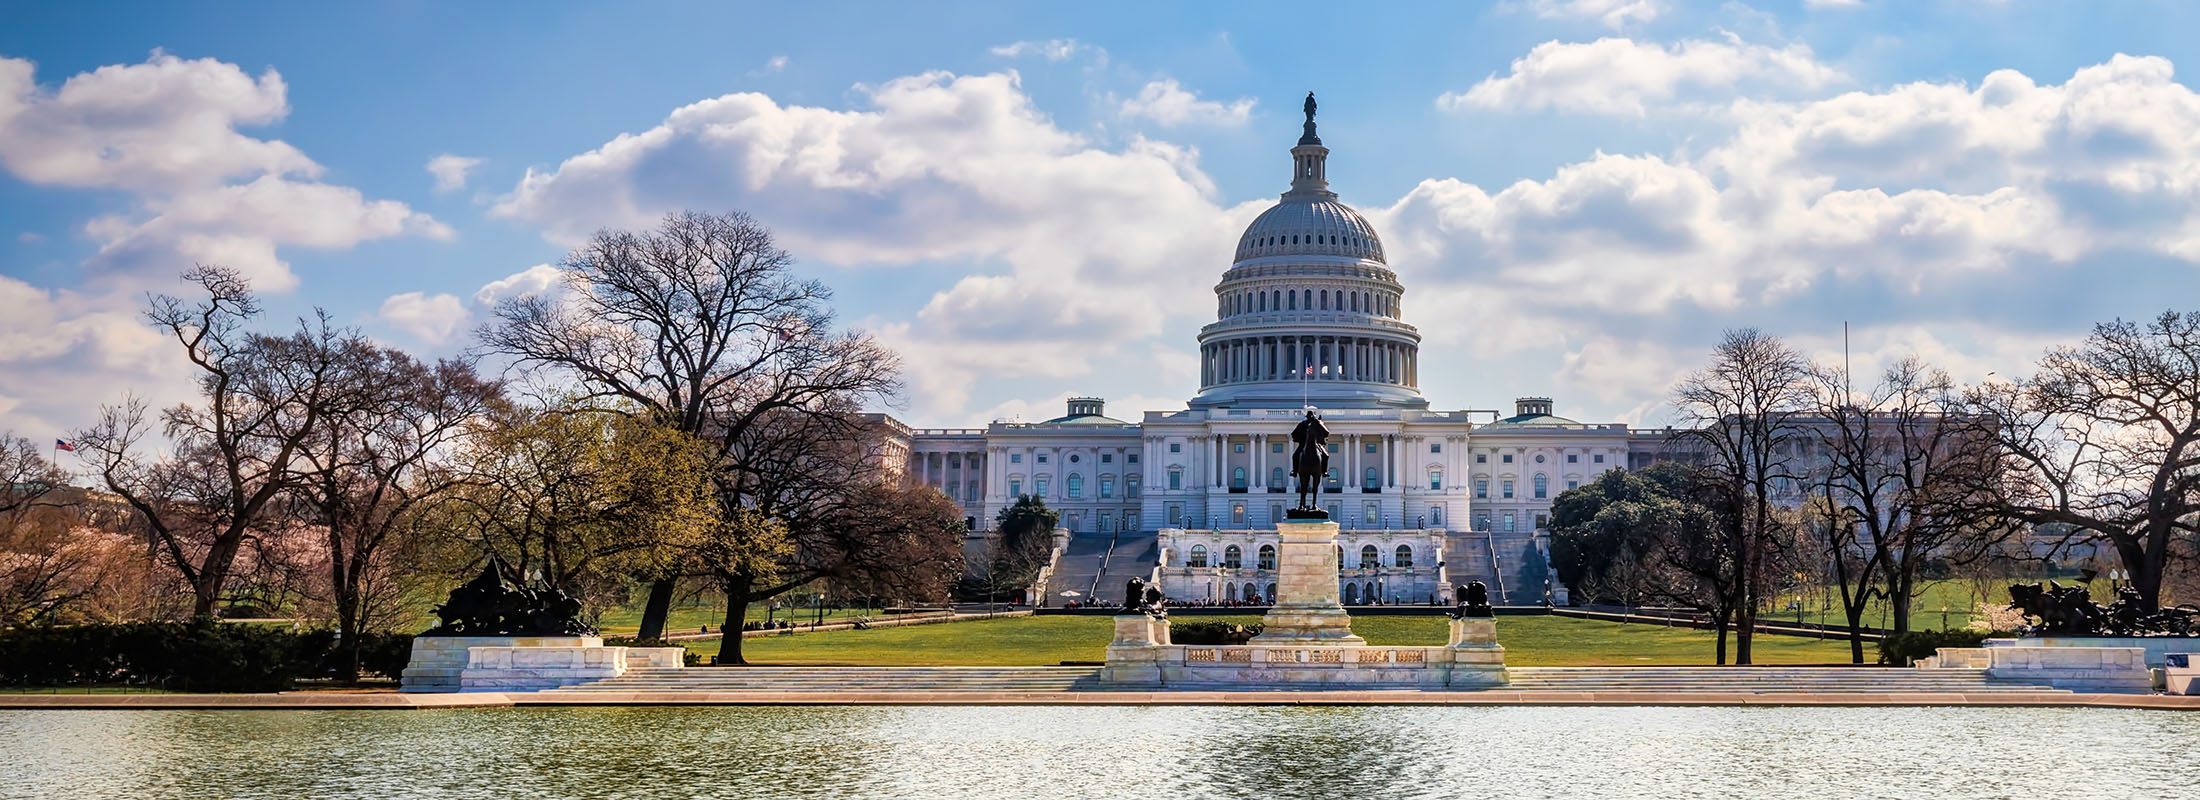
<point>1356,698</point>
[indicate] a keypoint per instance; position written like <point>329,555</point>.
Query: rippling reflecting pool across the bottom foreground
<point>1101,753</point>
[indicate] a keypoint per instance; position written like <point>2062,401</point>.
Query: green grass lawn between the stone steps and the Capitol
<point>1532,641</point>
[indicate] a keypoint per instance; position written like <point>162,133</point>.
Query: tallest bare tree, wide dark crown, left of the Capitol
<point>701,326</point>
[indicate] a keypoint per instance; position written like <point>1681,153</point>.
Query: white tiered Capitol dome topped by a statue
<point>1310,311</point>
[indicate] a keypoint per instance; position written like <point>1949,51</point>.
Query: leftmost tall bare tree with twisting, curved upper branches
<point>232,452</point>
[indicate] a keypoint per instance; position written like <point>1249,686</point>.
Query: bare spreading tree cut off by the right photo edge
<point>2104,443</point>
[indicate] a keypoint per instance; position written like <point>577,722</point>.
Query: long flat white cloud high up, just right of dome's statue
<point>1620,76</point>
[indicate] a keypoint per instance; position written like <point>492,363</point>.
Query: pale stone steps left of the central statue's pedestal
<point>848,680</point>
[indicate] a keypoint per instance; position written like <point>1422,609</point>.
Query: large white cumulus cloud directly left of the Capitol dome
<point>1081,245</point>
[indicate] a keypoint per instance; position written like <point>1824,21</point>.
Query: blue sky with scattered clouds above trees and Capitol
<point>1035,201</point>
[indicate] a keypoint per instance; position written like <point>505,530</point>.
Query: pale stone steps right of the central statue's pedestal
<point>1809,680</point>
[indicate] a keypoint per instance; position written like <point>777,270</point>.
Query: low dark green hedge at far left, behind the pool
<point>186,658</point>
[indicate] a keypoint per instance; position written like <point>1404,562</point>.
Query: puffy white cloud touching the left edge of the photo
<point>166,135</point>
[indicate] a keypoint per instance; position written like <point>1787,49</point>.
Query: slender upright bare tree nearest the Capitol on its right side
<point>1746,408</point>
